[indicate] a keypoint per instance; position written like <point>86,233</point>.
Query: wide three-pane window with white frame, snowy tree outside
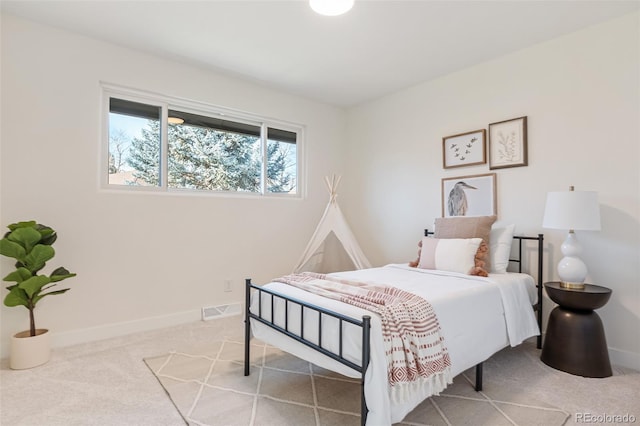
<point>167,145</point>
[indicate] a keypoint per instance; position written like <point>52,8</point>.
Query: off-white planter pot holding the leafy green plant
<point>28,351</point>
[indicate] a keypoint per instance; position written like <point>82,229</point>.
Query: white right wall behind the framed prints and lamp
<point>582,97</point>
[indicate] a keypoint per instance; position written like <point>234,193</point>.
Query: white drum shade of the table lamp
<point>577,210</point>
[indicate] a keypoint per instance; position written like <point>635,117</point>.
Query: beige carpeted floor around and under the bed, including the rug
<point>107,383</point>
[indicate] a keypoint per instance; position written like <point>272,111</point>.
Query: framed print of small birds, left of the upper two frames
<point>464,149</point>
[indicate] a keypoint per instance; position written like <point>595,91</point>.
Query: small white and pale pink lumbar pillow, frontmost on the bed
<point>449,254</point>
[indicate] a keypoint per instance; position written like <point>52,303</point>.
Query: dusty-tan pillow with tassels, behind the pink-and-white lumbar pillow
<point>469,227</point>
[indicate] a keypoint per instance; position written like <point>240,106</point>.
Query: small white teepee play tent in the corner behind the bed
<point>333,247</point>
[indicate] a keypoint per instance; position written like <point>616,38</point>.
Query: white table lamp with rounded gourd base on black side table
<point>572,210</point>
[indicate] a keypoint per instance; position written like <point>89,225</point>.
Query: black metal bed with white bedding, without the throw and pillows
<point>478,316</point>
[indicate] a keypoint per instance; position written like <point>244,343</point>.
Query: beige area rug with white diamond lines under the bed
<point>207,386</point>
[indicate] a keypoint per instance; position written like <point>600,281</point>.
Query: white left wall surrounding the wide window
<point>142,260</point>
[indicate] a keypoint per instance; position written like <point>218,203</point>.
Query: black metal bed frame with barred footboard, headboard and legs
<point>365,323</point>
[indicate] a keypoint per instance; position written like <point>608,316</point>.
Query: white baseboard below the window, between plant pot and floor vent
<point>107,331</point>
